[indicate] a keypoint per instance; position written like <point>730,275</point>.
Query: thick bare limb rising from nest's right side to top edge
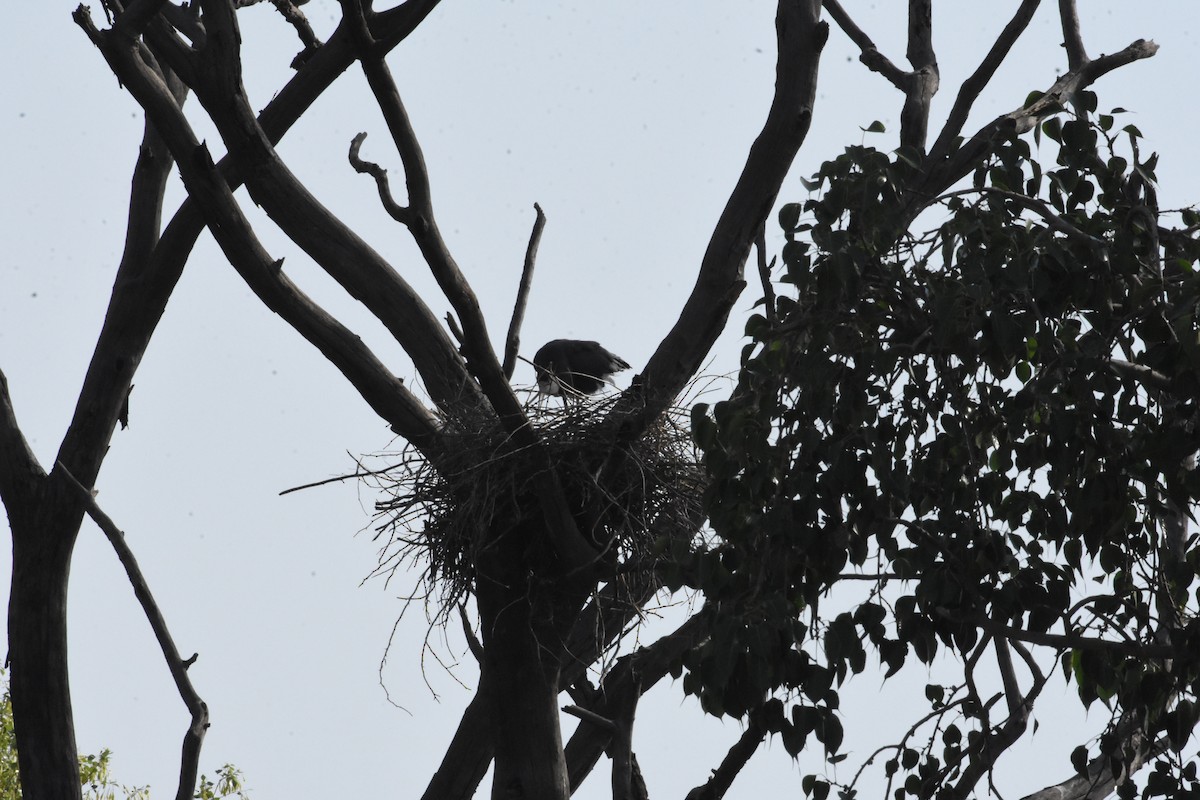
<point>801,38</point>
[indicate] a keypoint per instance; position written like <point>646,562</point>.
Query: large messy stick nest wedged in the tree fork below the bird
<point>632,502</point>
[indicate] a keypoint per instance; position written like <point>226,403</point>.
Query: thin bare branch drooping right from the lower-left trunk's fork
<point>194,739</point>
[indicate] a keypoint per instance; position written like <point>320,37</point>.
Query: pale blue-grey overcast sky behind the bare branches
<point>628,123</point>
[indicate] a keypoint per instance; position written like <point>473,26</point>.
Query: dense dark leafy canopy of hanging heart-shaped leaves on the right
<point>985,405</point>
